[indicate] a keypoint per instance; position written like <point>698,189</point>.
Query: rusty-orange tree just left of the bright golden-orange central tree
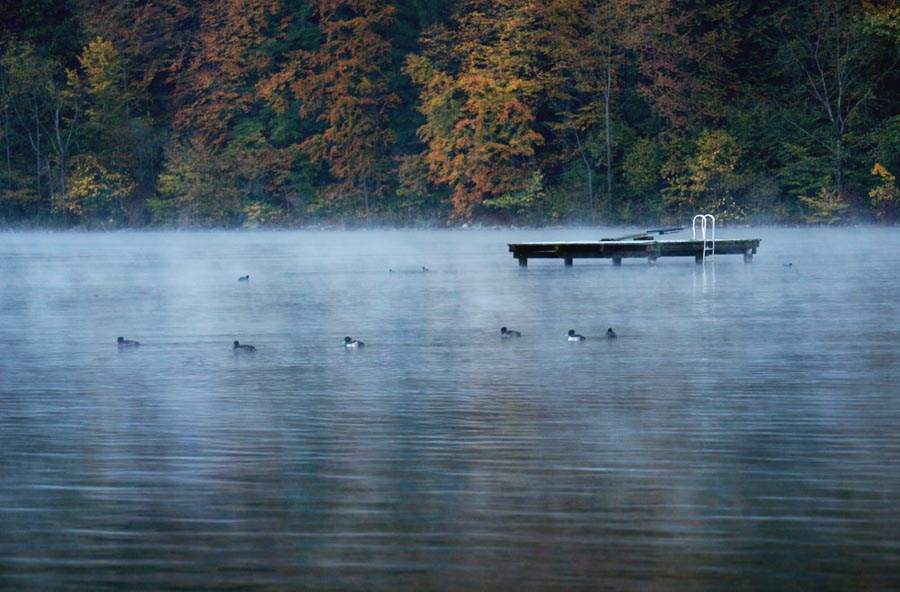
<point>342,85</point>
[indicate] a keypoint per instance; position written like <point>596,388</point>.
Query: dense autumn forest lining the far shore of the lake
<point>288,113</point>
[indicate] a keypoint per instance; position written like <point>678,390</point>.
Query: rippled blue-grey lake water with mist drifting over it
<point>742,433</point>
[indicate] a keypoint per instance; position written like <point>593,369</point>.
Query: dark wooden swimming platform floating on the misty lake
<point>639,246</point>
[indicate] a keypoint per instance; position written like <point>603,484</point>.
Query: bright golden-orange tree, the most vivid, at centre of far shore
<point>480,86</point>
